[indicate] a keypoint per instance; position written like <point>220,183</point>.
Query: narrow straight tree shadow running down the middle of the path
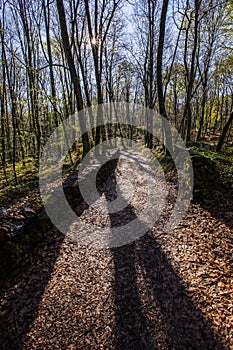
<point>130,323</point>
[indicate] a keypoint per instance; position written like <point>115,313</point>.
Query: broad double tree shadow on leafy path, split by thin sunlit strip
<point>152,308</point>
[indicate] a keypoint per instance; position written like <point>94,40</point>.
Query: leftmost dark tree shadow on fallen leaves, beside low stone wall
<point>23,291</point>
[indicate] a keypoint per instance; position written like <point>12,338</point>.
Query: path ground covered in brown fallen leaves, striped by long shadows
<point>162,291</point>
